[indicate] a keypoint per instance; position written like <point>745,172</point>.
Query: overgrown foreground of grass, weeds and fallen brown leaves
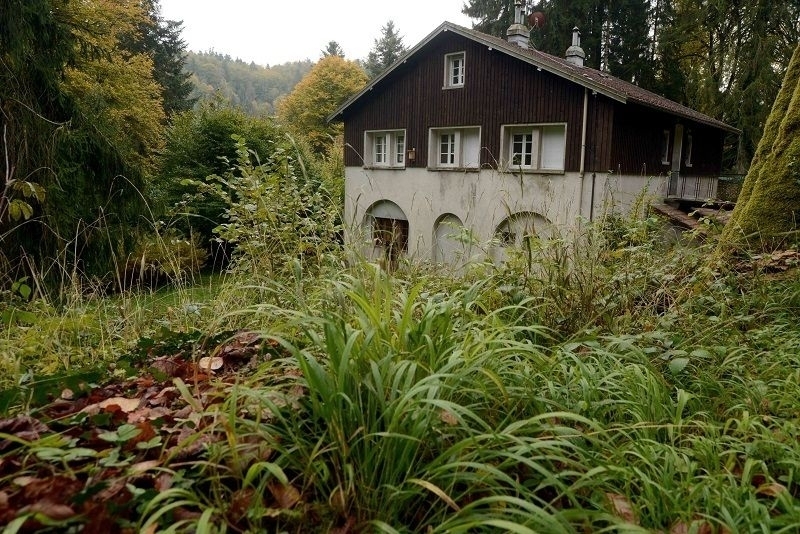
<point>605,383</point>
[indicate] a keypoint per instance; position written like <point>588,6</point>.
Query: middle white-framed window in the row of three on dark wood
<point>454,148</point>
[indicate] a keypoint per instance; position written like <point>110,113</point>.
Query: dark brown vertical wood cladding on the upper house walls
<point>499,89</point>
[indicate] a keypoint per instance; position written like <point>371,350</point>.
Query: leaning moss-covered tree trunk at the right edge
<point>768,207</point>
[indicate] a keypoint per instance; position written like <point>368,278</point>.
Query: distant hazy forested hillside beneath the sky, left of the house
<point>253,88</point>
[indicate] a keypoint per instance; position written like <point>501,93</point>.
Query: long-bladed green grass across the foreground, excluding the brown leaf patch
<point>609,383</point>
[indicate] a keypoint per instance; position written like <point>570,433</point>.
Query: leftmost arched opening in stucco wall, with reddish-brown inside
<point>387,227</point>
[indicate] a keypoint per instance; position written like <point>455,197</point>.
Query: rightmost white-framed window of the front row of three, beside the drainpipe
<point>534,147</point>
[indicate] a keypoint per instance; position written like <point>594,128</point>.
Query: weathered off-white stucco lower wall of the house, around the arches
<point>482,200</point>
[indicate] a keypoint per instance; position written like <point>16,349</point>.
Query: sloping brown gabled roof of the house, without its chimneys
<point>593,79</point>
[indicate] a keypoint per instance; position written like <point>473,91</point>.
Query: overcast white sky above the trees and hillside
<point>270,32</point>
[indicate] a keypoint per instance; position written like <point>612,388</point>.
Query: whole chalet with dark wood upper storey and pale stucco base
<point>471,135</point>
